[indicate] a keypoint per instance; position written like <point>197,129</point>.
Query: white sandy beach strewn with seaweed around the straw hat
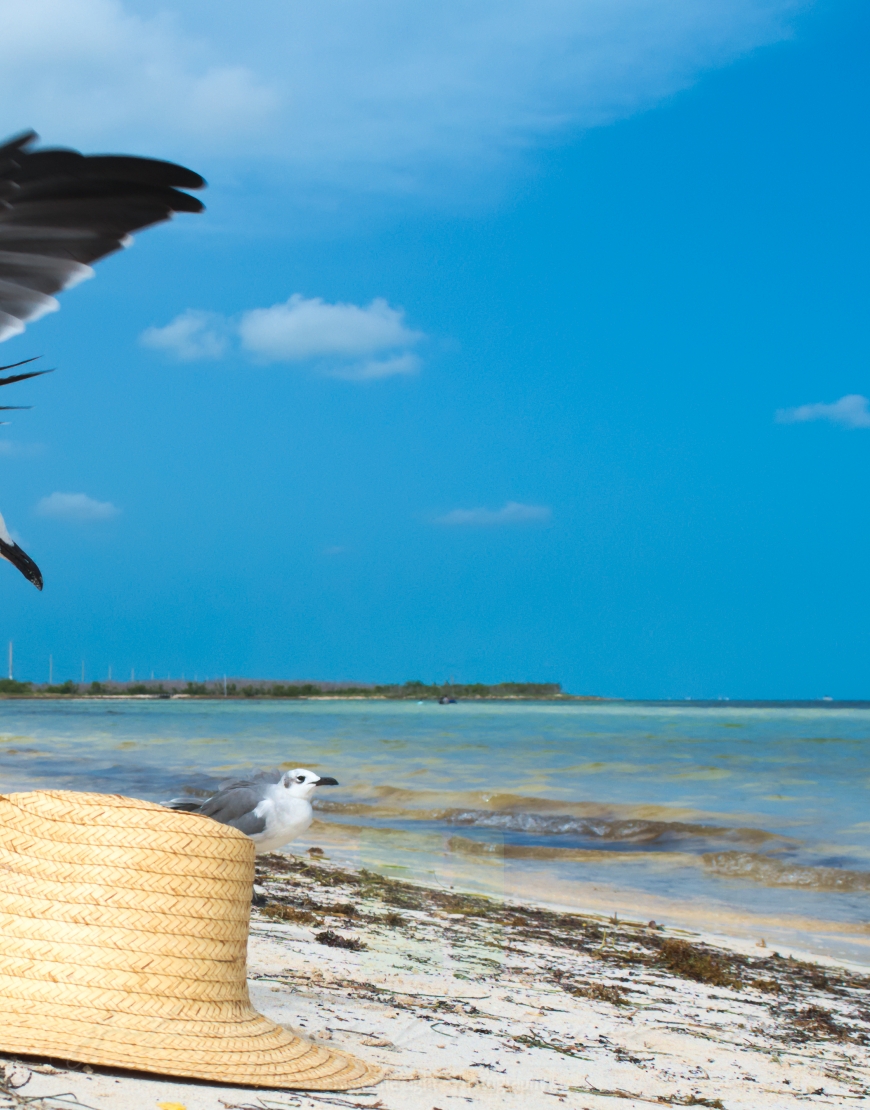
<point>470,1002</point>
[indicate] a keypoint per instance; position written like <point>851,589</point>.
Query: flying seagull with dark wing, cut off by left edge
<point>59,213</point>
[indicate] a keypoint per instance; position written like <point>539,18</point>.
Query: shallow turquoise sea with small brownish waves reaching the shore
<point>741,821</point>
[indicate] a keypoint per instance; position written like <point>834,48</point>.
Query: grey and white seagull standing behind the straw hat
<point>271,809</point>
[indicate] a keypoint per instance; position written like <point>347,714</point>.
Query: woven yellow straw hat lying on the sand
<point>124,931</point>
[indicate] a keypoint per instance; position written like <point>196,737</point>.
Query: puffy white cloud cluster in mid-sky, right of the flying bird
<point>350,341</point>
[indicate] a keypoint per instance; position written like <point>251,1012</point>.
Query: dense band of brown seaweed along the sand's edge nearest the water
<point>459,920</point>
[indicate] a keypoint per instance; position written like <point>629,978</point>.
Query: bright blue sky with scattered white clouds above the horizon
<point>520,341</point>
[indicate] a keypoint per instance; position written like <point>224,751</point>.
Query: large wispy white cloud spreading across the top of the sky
<point>366,94</point>
